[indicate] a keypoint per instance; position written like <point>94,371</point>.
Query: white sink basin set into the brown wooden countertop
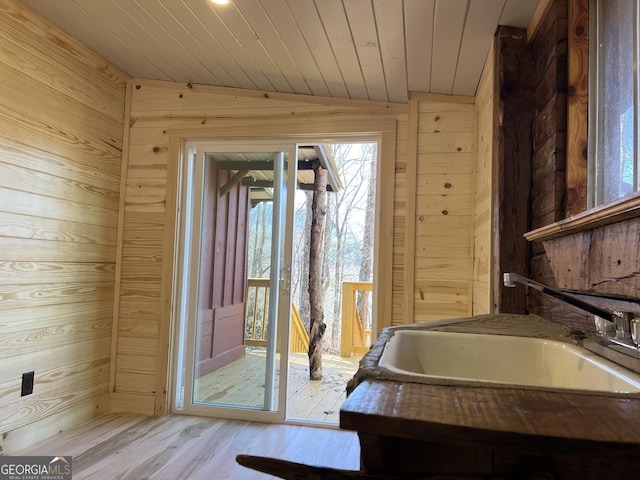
<point>498,359</point>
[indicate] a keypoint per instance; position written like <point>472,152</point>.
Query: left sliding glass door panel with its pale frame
<point>234,279</point>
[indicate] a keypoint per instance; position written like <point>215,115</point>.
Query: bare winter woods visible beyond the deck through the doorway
<point>347,242</point>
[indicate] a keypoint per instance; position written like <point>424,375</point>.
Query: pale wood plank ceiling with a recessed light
<point>362,49</point>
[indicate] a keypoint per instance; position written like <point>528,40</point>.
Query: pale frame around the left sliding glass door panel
<point>187,279</point>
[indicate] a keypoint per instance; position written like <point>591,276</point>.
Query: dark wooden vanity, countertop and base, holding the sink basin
<point>412,428</point>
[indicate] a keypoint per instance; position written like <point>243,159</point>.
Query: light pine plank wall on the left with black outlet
<point>61,137</point>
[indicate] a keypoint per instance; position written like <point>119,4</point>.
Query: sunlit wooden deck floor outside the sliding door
<point>242,383</point>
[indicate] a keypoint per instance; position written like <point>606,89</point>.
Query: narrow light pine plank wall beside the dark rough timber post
<point>483,205</point>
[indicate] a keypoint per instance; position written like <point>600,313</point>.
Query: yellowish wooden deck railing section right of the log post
<point>355,337</point>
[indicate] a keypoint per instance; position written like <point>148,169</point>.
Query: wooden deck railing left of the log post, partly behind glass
<point>257,308</point>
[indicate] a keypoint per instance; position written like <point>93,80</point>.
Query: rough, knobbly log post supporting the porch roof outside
<point>316,290</point>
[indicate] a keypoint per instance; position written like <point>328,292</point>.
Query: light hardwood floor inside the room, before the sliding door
<point>133,447</point>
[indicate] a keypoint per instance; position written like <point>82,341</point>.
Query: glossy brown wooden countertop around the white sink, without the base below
<point>539,421</point>
